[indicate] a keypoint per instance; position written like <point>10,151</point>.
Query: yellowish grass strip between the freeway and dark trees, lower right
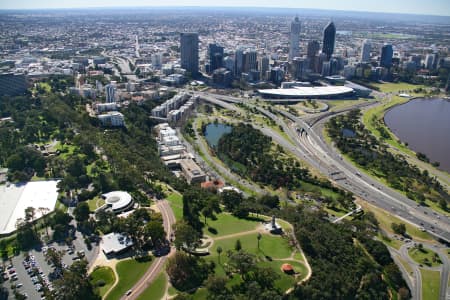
<point>386,219</point>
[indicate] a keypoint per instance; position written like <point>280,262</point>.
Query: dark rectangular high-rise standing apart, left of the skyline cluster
<point>189,52</point>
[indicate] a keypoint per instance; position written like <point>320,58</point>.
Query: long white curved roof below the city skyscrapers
<point>307,92</point>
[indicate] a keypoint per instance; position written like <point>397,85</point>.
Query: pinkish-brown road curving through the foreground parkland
<point>158,264</point>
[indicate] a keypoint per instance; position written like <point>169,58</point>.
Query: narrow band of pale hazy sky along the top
<point>416,7</point>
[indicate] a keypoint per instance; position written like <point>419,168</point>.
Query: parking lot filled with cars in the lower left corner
<point>19,273</point>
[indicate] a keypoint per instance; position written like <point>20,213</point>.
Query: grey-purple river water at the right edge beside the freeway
<point>425,125</point>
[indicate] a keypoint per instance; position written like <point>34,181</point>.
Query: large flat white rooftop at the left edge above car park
<point>15,198</point>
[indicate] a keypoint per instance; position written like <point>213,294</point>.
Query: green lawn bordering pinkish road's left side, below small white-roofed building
<point>129,271</point>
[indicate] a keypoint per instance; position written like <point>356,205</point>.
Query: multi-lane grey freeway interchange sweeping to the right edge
<point>311,147</point>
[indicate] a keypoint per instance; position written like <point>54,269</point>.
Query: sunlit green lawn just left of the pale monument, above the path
<point>226,224</point>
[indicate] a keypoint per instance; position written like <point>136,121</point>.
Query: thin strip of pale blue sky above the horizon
<point>430,7</point>
